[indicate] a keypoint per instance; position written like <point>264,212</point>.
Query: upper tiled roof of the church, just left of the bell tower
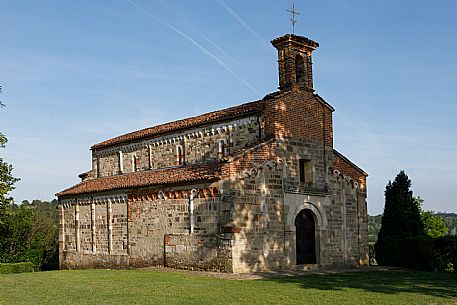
<point>185,123</point>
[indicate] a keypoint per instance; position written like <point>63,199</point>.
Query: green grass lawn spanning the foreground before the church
<point>147,287</point>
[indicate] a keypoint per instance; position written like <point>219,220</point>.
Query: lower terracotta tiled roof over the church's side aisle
<point>205,171</point>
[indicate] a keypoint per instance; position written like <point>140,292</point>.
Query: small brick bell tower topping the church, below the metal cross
<point>294,61</point>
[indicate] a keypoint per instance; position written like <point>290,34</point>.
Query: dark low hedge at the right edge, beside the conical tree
<point>427,254</point>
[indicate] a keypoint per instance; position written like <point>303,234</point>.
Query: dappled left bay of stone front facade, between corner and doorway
<point>258,228</point>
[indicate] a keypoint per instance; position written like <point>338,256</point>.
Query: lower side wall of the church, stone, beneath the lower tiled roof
<point>145,229</point>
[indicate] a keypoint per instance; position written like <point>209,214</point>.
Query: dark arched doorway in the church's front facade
<point>306,237</point>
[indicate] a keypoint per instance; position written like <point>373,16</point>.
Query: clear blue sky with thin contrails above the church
<point>75,73</point>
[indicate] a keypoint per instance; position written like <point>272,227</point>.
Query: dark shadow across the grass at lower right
<point>388,282</point>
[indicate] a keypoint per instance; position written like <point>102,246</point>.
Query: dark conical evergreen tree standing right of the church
<point>401,220</point>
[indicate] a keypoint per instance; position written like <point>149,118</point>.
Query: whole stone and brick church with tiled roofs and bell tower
<point>254,187</point>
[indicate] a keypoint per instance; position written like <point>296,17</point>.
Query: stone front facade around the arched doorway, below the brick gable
<point>268,198</point>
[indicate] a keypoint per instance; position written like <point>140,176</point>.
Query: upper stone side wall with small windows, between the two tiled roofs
<point>198,145</point>
